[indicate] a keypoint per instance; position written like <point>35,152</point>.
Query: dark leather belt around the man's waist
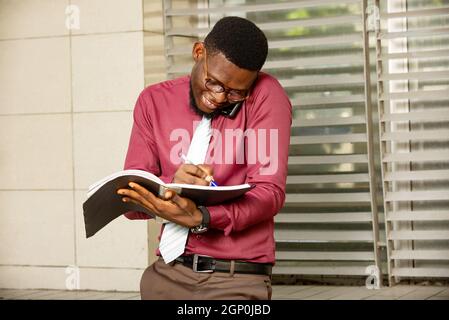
<point>208,264</point>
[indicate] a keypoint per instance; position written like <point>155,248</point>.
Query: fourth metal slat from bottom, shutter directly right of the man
<point>341,217</point>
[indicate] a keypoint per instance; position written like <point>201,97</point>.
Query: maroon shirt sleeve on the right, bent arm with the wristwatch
<point>270,115</point>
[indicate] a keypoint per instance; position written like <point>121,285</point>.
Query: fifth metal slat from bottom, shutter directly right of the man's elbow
<point>326,197</point>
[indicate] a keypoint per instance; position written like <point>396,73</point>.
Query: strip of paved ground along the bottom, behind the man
<point>399,292</point>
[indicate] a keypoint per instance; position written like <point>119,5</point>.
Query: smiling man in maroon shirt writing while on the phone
<point>230,247</point>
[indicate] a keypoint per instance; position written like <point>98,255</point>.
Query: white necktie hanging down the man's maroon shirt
<point>174,236</point>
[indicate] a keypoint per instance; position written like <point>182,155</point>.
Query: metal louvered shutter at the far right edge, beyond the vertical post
<point>413,68</point>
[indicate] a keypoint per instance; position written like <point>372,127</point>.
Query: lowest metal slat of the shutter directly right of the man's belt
<point>319,270</point>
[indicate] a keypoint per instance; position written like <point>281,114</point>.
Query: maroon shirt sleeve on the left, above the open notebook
<point>142,153</point>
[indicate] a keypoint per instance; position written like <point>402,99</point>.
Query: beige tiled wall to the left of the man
<point>66,100</point>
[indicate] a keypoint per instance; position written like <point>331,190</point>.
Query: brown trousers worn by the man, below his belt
<point>162,281</point>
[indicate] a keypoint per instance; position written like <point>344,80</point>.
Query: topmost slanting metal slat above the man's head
<point>253,8</point>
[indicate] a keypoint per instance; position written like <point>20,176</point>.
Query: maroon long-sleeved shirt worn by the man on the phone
<point>163,126</point>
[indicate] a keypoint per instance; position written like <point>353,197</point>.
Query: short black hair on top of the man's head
<point>240,41</point>
